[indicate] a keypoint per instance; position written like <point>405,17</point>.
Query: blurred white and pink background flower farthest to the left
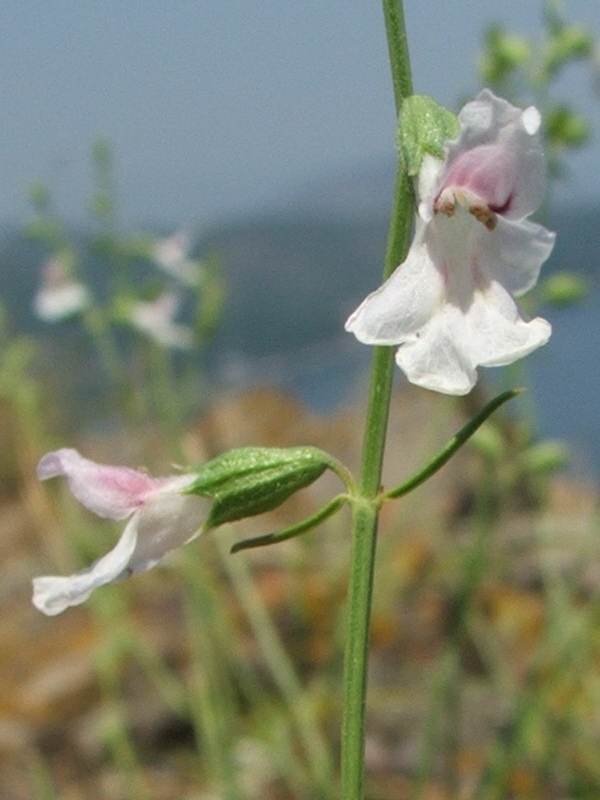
<point>59,296</point>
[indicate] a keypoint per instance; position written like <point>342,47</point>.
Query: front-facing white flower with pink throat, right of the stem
<point>450,304</point>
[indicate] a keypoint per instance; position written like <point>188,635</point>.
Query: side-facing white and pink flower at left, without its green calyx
<point>161,517</point>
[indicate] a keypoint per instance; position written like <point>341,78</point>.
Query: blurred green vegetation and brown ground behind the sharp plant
<point>218,676</point>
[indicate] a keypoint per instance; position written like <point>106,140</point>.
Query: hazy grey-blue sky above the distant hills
<point>216,107</point>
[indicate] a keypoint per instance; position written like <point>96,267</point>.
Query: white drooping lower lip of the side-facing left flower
<point>52,594</point>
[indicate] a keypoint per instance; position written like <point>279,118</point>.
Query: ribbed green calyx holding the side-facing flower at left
<point>251,480</point>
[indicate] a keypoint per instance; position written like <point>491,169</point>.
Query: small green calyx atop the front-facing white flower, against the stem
<point>423,127</point>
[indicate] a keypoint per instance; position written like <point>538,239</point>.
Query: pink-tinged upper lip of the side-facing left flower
<point>113,492</point>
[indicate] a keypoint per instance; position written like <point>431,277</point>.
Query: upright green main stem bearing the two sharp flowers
<point>365,511</point>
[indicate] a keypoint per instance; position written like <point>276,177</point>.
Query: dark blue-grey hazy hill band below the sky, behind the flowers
<point>292,278</point>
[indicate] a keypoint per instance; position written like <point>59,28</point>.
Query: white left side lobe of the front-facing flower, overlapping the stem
<point>403,304</point>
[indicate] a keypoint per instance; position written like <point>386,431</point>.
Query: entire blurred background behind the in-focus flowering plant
<point>193,198</point>
